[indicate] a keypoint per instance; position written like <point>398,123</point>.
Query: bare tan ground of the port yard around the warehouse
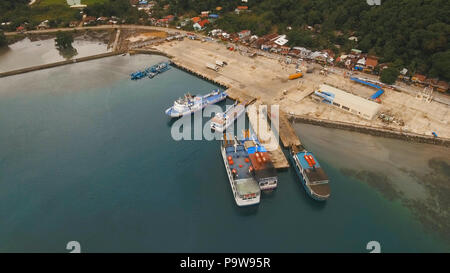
<point>267,79</point>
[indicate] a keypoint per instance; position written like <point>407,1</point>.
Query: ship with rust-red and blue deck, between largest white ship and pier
<point>263,169</point>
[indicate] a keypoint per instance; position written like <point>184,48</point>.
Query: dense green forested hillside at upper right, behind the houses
<point>406,33</point>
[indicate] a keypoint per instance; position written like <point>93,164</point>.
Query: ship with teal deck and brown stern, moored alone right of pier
<point>314,179</point>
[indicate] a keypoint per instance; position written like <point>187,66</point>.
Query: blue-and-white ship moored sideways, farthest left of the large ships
<point>190,104</point>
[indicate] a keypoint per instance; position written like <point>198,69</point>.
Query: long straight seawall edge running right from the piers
<point>375,131</point>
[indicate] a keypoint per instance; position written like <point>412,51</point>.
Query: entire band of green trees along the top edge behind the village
<point>405,33</point>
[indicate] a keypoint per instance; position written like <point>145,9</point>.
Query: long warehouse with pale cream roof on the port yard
<point>348,102</point>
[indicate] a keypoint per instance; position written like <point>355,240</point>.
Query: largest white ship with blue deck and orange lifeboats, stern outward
<point>239,170</point>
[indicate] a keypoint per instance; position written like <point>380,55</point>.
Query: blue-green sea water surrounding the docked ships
<point>86,155</point>
